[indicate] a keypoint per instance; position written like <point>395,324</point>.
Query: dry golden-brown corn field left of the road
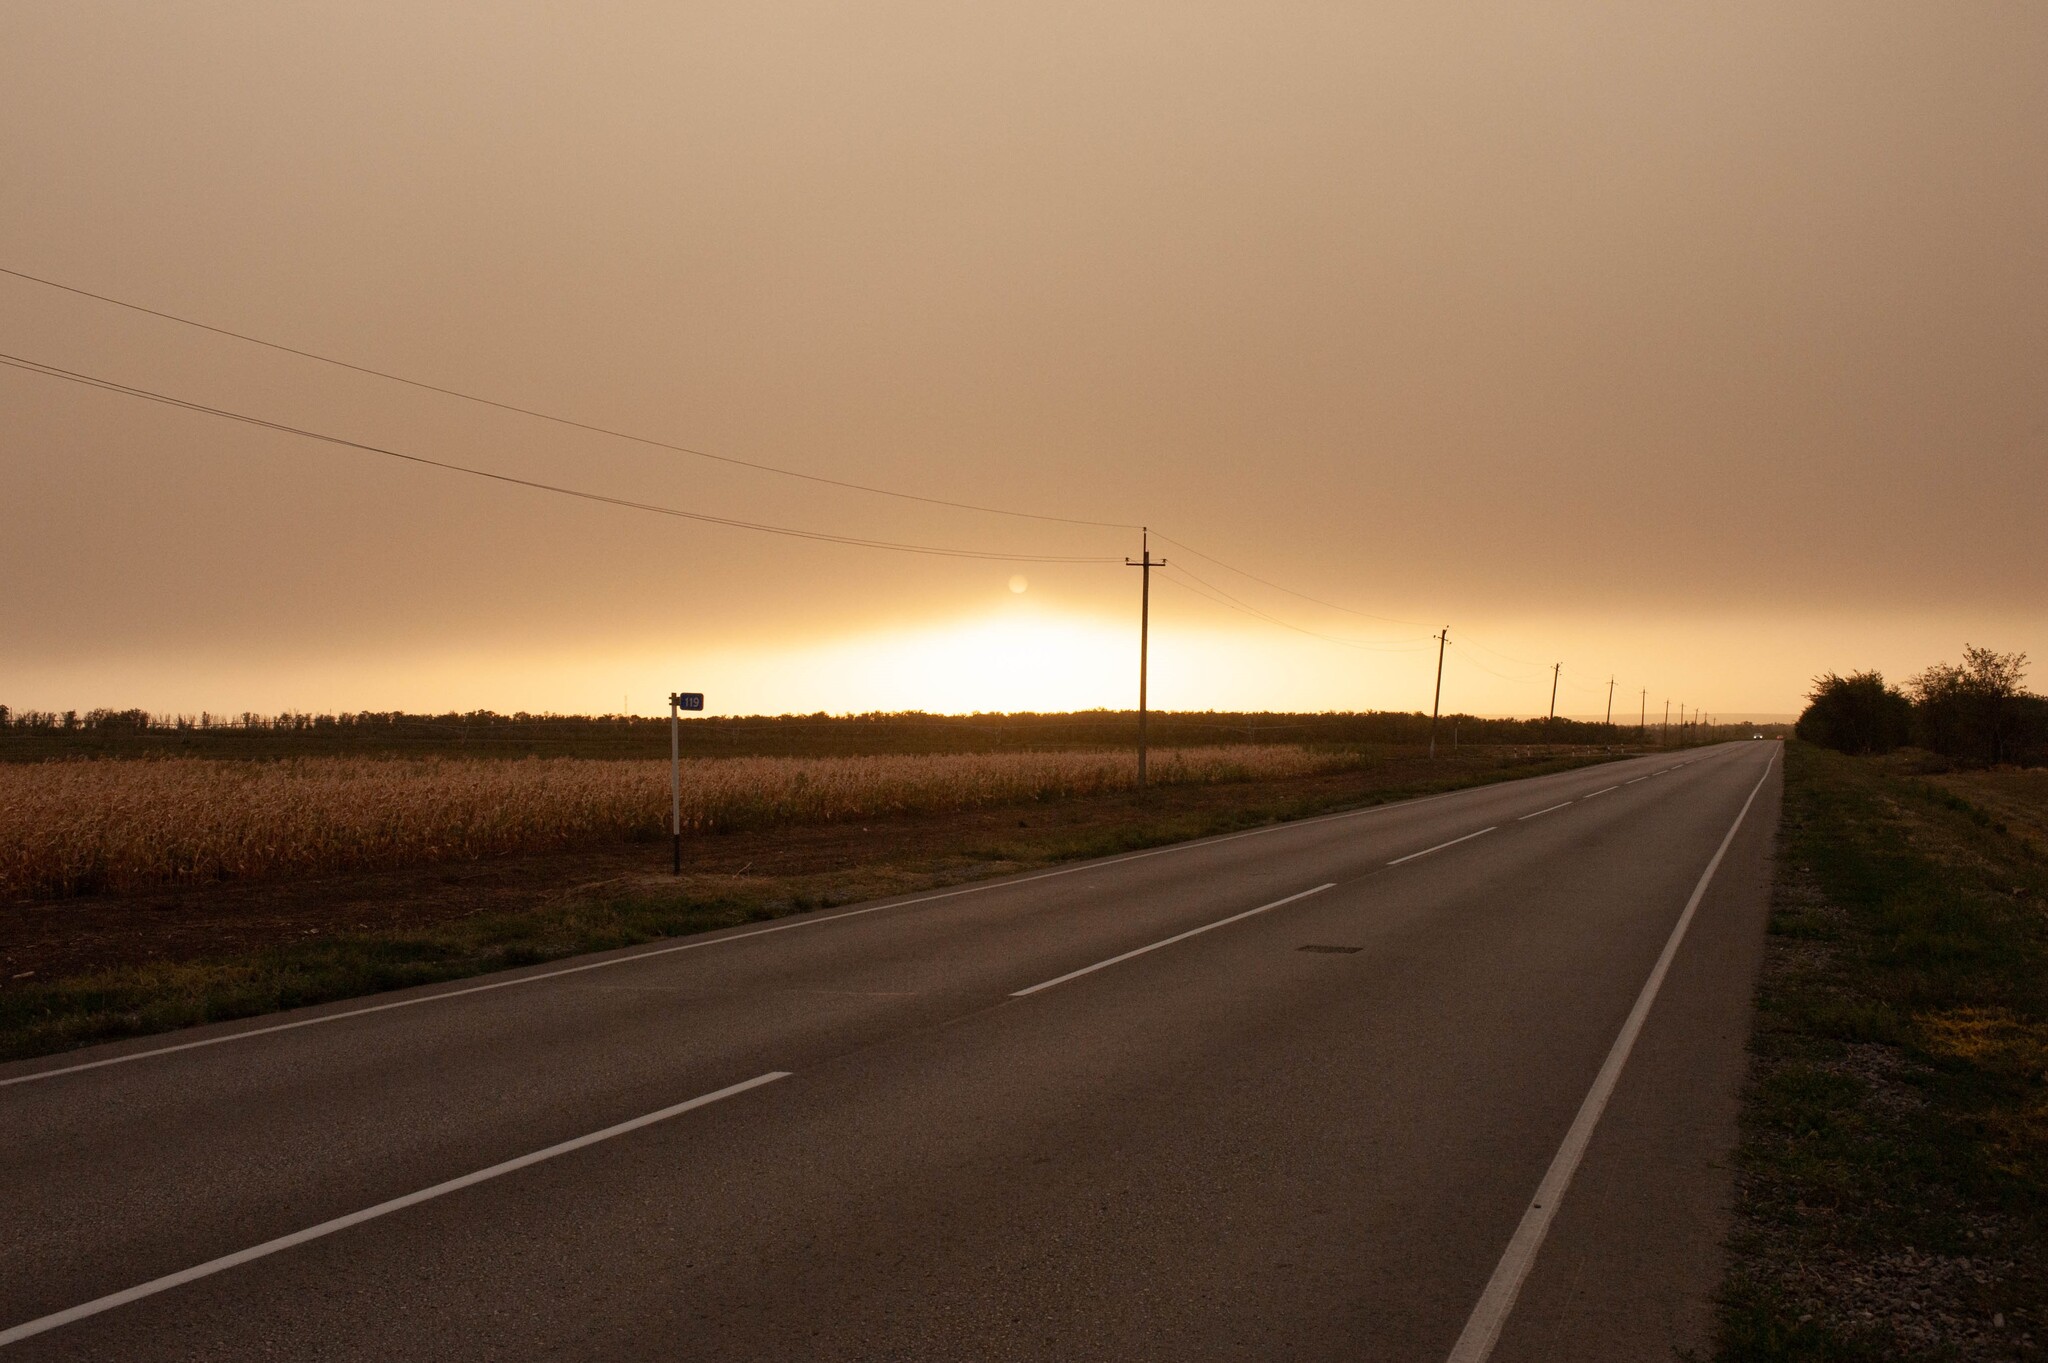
<point>81,828</point>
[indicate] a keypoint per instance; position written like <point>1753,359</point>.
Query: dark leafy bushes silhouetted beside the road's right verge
<point>1973,711</point>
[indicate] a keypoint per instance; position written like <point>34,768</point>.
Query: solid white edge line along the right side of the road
<point>1484,1329</point>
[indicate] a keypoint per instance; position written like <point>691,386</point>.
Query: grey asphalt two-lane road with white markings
<point>1289,1094</point>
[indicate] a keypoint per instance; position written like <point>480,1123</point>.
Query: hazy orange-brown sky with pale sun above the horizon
<point>1701,347</point>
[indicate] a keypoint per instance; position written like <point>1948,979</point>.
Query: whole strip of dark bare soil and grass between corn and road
<point>77,971</point>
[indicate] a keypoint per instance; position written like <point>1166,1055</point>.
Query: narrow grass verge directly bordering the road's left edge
<point>62,1014</point>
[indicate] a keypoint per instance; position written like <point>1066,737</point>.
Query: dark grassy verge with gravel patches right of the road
<point>1893,1166</point>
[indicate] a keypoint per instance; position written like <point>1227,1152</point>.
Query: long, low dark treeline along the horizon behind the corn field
<point>30,736</point>
